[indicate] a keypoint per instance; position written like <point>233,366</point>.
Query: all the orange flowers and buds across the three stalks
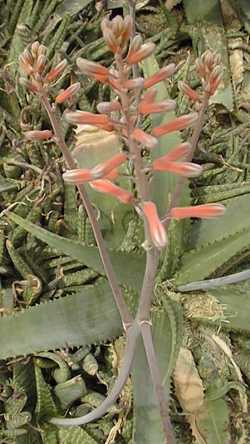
<point>134,99</point>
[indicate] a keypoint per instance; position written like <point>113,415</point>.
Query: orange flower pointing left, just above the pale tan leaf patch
<point>99,120</point>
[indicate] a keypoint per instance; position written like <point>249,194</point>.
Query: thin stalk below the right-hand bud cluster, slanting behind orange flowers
<point>193,142</point>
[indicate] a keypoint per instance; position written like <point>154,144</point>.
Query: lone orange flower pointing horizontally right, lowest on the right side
<point>206,211</point>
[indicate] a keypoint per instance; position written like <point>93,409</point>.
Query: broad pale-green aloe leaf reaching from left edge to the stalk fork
<point>82,318</point>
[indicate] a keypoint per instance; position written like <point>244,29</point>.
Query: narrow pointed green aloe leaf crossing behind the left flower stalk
<point>129,268</point>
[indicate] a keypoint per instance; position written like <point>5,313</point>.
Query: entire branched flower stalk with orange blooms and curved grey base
<point>133,100</point>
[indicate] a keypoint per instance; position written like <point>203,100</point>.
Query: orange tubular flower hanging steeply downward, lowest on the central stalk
<point>156,228</point>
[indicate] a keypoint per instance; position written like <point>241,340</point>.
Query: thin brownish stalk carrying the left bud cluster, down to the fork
<point>117,294</point>
